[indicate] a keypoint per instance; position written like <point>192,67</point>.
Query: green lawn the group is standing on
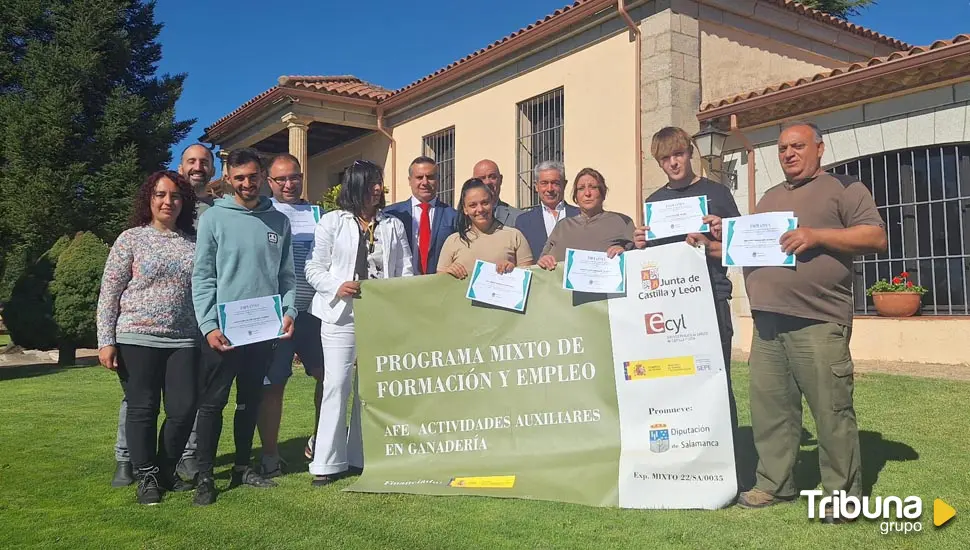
<point>57,430</point>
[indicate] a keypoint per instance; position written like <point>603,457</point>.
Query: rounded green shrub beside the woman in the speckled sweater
<point>75,289</point>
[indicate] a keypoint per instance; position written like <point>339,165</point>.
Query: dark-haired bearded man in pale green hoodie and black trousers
<point>243,250</point>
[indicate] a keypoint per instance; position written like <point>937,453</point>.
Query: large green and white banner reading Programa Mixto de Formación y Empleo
<point>580,398</point>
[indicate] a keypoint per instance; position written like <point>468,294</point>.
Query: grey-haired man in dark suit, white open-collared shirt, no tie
<point>537,223</point>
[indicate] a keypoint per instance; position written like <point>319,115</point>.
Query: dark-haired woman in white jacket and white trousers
<point>352,244</point>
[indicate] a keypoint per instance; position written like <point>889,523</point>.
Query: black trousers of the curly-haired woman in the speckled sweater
<point>146,374</point>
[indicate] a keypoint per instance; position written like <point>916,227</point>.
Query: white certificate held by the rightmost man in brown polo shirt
<point>753,241</point>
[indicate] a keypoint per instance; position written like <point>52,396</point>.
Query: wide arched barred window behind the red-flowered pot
<point>923,195</point>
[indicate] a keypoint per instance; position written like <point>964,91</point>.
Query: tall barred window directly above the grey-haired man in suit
<point>539,137</point>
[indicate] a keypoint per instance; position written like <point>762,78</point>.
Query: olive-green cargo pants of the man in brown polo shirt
<point>791,357</point>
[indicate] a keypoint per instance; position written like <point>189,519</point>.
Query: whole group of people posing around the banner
<point>158,328</point>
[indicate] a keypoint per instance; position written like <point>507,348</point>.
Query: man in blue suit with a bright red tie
<point>428,221</point>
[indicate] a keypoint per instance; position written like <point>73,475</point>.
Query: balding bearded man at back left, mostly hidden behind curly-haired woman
<point>197,166</point>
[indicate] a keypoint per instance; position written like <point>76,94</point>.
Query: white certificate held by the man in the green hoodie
<point>253,320</point>
